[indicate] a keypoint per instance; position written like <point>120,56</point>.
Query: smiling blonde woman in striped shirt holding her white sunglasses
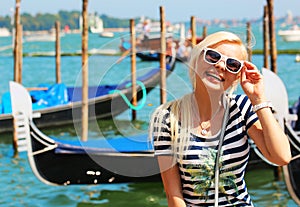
<point>211,125</point>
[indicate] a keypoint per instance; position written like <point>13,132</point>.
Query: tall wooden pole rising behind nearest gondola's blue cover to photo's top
<point>84,48</point>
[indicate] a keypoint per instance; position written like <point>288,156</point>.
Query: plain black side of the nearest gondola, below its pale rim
<point>88,169</point>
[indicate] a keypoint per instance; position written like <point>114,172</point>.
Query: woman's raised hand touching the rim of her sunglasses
<point>252,83</point>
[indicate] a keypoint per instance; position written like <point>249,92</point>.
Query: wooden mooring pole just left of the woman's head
<point>163,85</point>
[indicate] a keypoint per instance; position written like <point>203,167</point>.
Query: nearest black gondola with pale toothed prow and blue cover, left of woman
<point>61,162</point>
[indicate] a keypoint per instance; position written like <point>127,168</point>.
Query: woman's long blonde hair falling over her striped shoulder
<point>181,110</point>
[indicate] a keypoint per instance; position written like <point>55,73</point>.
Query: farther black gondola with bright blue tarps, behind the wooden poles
<point>105,101</point>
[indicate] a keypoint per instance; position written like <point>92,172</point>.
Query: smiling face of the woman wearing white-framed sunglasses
<point>215,76</point>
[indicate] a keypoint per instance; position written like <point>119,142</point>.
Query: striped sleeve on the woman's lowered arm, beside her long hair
<point>161,132</point>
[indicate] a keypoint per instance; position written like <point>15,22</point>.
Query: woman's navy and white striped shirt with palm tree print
<point>198,162</point>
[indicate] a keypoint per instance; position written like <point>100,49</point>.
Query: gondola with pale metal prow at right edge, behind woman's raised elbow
<point>285,119</point>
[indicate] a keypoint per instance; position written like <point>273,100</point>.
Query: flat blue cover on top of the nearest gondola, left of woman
<point>132,144</point>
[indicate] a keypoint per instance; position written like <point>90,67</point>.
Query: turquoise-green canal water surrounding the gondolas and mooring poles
<point>19,187</point>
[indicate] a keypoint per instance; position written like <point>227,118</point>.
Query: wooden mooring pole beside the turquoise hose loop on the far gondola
<point>133,67</point>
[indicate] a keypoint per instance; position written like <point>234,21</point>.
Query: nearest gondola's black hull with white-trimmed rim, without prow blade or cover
<point>57,165</point>
